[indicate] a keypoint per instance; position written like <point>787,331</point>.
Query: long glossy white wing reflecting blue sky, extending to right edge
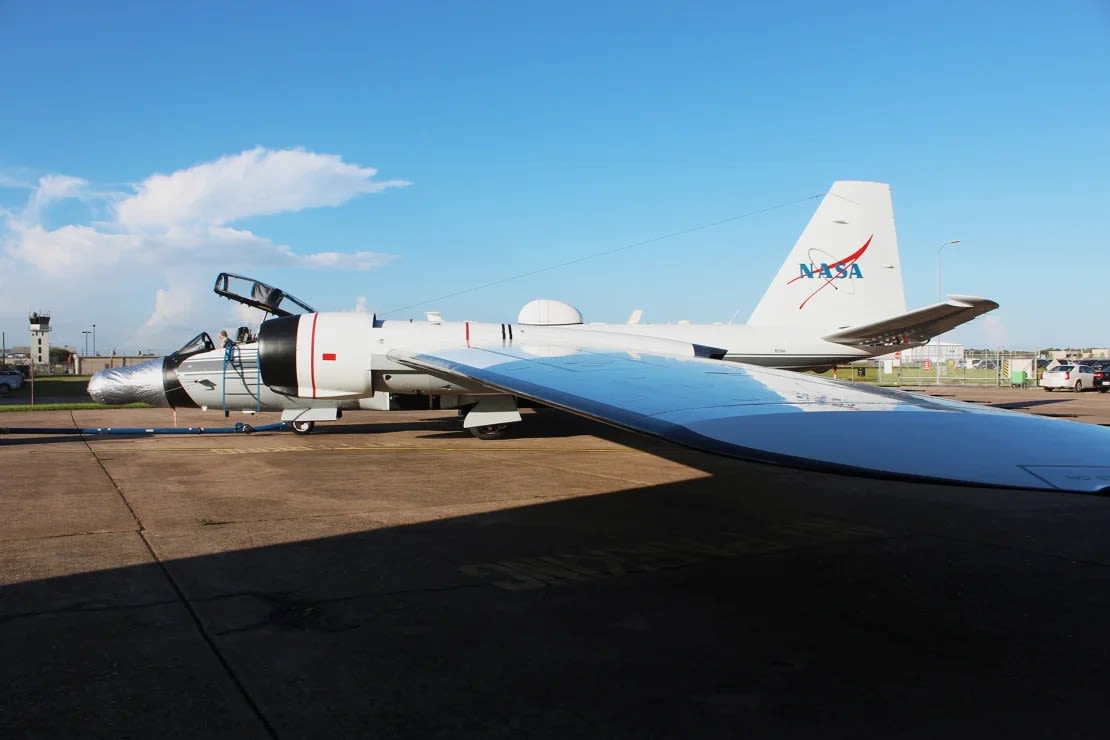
<point>780,417</point>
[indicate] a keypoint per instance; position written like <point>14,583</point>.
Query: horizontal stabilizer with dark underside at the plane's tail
<point>917,327</point>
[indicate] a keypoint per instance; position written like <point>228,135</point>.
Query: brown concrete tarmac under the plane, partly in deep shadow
<point>391,576</point>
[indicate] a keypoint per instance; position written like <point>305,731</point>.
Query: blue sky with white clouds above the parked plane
<point>390,157</point>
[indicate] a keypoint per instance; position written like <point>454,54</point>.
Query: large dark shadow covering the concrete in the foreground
<point>756,599</point>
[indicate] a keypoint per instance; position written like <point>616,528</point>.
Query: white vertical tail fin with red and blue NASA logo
<point>845,269</point>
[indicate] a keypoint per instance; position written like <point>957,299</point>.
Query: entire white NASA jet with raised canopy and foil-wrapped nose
<point>314,366</point>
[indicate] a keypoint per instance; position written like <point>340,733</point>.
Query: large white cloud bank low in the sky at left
<point>171,232</point>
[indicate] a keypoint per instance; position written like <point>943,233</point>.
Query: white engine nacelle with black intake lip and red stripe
<point>320,356</point>
